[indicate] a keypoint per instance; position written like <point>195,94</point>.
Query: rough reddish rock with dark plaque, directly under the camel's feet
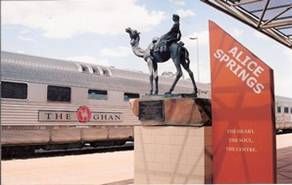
<point>157,110</point>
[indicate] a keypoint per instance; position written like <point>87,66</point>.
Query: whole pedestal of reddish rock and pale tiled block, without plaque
<point>178,149</point>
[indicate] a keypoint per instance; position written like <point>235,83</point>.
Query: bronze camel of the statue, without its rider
<point>176,51</point>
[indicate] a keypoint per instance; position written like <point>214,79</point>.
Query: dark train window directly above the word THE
<point>57,93</point>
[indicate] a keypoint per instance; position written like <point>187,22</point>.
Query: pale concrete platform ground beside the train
<point>105,168</point>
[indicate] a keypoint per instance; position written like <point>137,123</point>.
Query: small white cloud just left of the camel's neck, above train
<point>117,52</point>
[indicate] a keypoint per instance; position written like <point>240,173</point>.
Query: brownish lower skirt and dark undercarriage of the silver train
<point>22,142</point>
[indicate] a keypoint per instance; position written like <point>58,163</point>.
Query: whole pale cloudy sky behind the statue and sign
<point>93,31</point>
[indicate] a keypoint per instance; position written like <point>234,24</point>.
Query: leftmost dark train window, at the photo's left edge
<point>13,90</point>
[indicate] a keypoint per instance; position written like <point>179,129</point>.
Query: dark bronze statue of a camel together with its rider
<point>160,50</point>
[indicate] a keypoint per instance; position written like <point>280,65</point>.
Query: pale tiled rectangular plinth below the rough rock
<point>172,155</point>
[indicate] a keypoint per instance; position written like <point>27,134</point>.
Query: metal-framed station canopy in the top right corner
<point>271,17</point>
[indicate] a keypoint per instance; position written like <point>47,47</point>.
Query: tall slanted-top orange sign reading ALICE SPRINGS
<point>242,112</point>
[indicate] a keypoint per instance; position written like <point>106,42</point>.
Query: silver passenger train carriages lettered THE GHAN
<point>49,103</point>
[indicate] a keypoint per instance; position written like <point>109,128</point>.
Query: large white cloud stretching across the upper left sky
<point>65,19</point>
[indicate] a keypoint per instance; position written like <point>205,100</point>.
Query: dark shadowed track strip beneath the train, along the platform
<point>38,153</point>
